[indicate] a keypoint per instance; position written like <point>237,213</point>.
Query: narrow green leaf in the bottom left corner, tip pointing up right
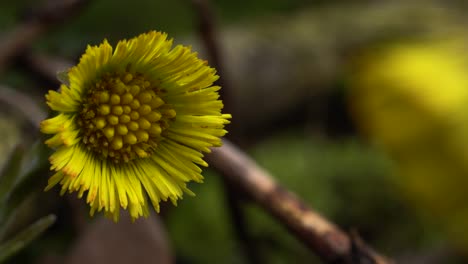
<point>25,237</point>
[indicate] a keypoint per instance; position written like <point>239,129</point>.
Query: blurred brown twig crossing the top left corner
<point>20,38</point>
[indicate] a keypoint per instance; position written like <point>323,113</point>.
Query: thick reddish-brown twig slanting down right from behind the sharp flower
<point>330,243</point>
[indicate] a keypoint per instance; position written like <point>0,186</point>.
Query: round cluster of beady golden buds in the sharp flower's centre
<point>123,117</point>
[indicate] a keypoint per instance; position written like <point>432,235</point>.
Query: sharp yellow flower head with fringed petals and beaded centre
<point>132,124</point>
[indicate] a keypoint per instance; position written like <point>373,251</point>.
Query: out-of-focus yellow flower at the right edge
<point>412,99</point>
